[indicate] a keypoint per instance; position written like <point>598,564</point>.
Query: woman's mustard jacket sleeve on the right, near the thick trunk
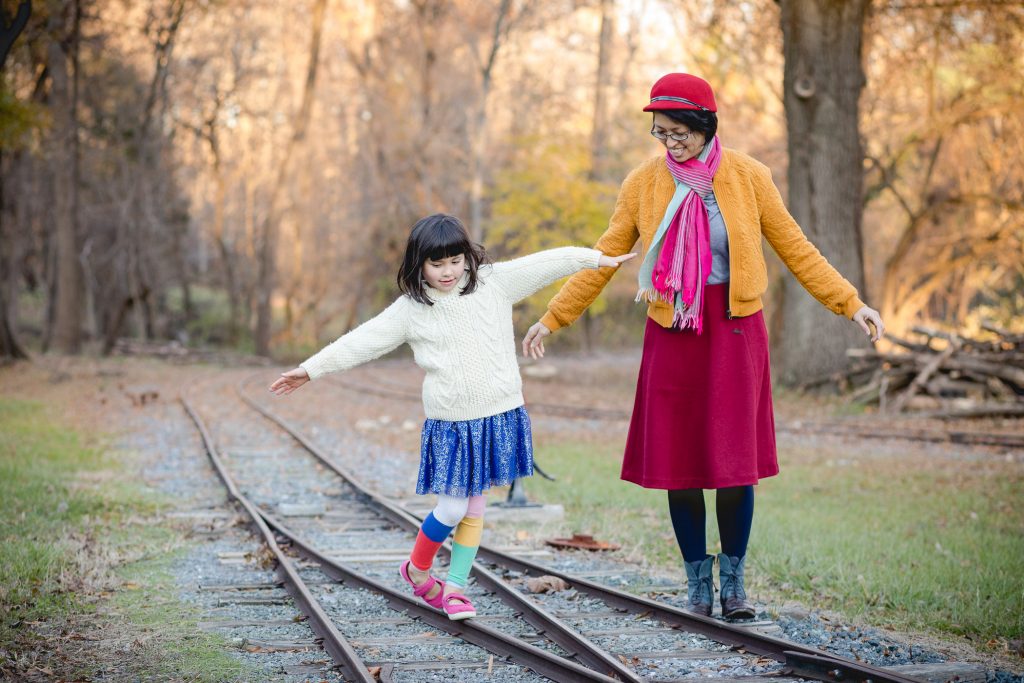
<point>812,270</point>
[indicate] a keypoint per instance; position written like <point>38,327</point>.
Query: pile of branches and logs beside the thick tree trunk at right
<point>944,375</point>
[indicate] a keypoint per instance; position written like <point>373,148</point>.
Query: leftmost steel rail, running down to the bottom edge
<point>335,644</point>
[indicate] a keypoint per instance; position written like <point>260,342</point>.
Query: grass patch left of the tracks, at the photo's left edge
<point>71,515</point>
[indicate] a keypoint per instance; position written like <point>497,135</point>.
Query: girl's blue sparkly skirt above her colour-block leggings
<point>468,457</point>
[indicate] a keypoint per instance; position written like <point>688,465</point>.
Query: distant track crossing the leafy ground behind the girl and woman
<point>392,390</point>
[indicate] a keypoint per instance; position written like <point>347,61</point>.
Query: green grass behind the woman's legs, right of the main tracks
<point>925,545</point>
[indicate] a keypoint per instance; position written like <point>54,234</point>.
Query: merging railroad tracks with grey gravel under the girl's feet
<point>612,635</point>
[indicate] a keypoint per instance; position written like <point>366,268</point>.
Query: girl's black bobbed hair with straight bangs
<point>435,238</point>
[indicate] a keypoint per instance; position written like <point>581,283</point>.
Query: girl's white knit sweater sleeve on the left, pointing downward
<point>371,340</point>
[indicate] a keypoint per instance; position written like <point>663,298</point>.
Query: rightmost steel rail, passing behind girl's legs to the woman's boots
<point>777,649</point>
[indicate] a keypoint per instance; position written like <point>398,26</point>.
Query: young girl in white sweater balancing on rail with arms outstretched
<point>456,313</point>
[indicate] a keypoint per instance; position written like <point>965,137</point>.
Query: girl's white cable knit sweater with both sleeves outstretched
<point>466,345</point>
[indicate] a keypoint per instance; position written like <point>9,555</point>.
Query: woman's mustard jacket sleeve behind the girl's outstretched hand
<point>583,288</point>
